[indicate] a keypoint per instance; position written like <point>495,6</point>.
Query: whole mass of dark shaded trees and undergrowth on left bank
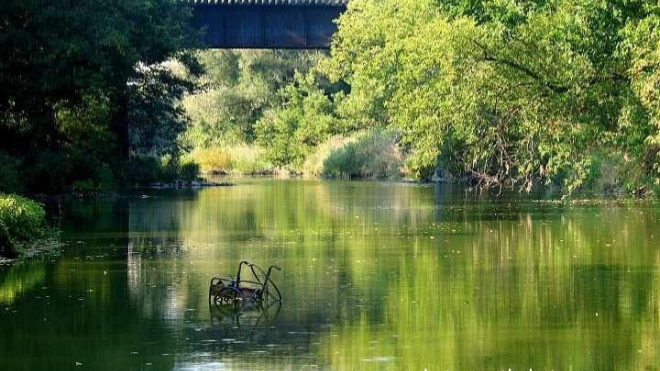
<point>85,85</point>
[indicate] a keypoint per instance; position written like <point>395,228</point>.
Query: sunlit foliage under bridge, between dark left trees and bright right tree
<point>239,105</point>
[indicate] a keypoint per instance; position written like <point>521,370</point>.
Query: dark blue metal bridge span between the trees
<point>267,24</point>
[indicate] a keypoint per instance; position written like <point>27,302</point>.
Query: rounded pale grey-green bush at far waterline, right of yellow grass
<point>372,154</point>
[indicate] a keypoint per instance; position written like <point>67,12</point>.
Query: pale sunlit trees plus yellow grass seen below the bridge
<point>237,90</point>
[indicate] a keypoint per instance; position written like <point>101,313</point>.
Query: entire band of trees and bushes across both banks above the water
<point>498,93</point>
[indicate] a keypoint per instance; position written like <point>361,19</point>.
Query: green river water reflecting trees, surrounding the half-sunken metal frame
<point>376,276</point>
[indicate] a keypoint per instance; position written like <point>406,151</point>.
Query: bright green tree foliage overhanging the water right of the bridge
<point>506,93</point>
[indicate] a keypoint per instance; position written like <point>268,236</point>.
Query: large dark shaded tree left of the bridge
<point>79,60</point>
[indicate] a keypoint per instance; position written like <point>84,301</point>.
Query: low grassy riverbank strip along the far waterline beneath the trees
<point>377,156</point>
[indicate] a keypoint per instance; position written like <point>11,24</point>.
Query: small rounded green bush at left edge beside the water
<point>22,219</point>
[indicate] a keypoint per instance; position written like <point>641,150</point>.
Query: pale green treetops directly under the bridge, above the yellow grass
<point>238,87</point>
